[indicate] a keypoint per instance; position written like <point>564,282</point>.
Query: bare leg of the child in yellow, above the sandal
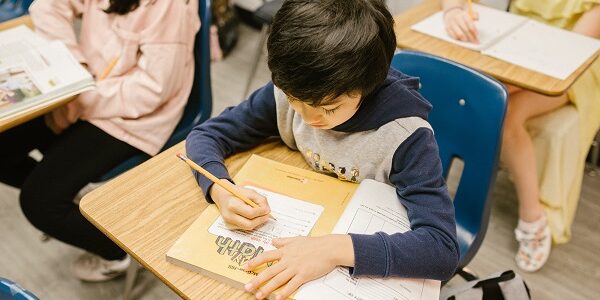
<point>517,148</point>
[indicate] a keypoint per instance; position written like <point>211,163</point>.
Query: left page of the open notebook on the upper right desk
<point>492,25</point>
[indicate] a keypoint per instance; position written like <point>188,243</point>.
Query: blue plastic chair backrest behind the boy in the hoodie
<point>467,117</point>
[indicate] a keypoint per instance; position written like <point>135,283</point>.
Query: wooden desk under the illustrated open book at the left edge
<point>15,119</point>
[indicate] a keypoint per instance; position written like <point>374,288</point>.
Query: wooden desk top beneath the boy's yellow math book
<point>148,208</point>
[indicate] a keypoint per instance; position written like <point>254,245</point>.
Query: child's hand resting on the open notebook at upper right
<point>460,26</point>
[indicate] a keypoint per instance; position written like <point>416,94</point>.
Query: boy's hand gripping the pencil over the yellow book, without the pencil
<point>236,213</point>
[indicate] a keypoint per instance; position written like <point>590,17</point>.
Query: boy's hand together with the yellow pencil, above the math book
<point>240,207</point>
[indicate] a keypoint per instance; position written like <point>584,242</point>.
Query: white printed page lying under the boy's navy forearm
<point>374,207</point>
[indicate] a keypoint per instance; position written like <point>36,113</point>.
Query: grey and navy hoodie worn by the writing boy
<point>388,139</point>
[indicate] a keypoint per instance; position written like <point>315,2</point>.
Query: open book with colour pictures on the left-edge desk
<point>34,71</point>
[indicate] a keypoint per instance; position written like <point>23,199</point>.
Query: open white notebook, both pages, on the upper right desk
<point>521,41</point>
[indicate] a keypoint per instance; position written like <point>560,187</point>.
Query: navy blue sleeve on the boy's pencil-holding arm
<point>237,128</point>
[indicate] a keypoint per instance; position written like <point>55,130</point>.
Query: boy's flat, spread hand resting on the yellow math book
<point>300,259</point>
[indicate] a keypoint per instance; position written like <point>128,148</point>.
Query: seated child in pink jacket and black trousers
<point>133,110</point>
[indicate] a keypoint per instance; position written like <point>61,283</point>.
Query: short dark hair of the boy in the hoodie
<point>321,49</point>
